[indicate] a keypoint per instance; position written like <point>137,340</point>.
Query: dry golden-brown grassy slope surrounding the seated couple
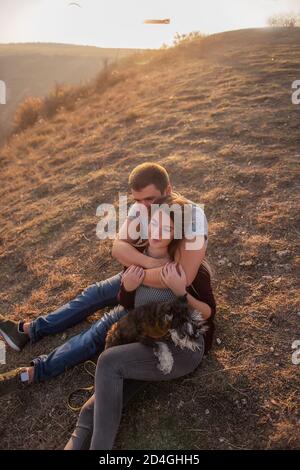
<point>217,113</point>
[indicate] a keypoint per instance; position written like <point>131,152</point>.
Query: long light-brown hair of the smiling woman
<point>175,205</point>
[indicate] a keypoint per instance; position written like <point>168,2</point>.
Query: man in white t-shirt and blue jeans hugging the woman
<point>147,182</point>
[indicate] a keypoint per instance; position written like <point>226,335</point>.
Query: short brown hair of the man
<point>149,173</point>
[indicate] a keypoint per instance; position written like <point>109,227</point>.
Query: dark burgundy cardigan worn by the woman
<point>200,289</point>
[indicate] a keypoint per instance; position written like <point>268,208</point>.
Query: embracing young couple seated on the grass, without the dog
<point>158,266</point>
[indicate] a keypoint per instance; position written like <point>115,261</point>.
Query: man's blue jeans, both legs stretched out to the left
<point>88,343</point>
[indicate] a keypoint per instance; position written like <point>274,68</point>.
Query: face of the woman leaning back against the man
<point>160,229</point>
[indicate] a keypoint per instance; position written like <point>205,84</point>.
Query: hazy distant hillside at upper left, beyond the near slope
<point>33,69</point>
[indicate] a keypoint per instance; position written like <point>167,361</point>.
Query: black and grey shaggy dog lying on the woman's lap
<point>154,323</point>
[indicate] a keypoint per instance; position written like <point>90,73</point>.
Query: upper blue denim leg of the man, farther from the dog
<point>94,297</point>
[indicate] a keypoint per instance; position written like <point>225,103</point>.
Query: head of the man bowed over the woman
<point>149,181</point>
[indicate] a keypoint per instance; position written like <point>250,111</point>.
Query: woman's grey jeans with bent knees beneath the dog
<point>100,417</point>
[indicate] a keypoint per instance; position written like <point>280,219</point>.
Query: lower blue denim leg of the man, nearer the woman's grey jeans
<point>77,349</point>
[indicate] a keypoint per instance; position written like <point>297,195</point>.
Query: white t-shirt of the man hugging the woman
<point>196,224</point>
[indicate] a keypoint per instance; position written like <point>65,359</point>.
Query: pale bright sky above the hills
<point>119,23</point>
